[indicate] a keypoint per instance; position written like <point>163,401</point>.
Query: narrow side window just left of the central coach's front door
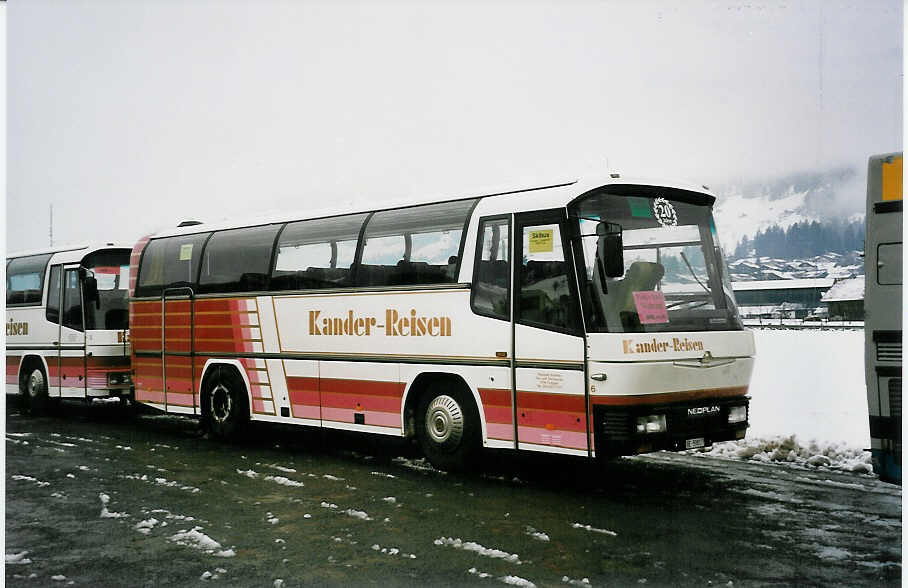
<point>491,281</point>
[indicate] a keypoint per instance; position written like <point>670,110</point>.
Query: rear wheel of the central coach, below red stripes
<point>225,408</point>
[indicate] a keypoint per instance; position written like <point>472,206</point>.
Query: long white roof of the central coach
<point>540,196</point>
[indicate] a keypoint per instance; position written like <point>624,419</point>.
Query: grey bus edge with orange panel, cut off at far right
<point>883,313</point>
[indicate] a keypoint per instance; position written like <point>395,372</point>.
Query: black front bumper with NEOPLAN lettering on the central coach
<point>688,425</point>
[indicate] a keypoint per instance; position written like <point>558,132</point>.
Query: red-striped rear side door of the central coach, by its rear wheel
<point>177,348</point>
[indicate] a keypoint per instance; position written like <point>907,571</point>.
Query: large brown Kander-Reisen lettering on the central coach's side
<point>394,324</point>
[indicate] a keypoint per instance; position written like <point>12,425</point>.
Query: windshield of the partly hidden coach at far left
<point>111,311</point>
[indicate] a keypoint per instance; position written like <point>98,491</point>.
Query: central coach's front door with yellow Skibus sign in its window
<point>548,338</point>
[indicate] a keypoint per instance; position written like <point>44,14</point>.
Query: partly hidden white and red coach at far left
<point>67,312</point>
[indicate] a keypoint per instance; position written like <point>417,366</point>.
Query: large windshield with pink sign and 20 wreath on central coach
<point>674,278</point>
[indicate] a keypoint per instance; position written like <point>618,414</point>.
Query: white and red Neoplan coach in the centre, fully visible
<point>580,318</point>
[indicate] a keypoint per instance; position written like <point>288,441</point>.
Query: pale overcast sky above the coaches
<point>130,116</point>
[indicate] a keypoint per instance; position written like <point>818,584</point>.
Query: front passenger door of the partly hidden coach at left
<point>71,359</point>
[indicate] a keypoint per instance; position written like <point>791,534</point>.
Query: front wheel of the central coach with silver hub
<point>447,427</point>
